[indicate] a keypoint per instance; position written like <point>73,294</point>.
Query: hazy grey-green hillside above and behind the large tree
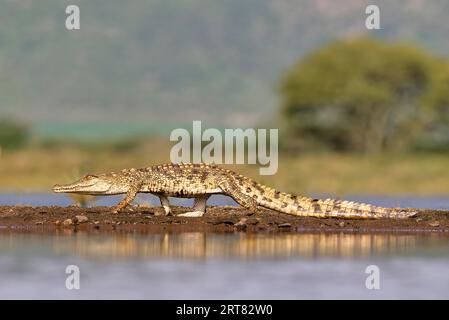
<point>147,61</point>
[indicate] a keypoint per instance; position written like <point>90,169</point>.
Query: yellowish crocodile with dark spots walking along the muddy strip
<point>200,181</point>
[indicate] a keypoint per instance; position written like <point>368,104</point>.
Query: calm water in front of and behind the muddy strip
<point>223,266</point>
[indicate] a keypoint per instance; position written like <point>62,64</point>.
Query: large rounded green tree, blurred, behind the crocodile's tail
<point>363,95</point>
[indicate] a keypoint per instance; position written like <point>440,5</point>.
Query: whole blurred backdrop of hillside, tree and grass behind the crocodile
<point>359,111</point>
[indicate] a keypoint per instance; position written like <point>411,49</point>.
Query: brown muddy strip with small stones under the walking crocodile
<point>217,219</point>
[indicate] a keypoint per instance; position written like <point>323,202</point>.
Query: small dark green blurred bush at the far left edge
<point>13,134</point>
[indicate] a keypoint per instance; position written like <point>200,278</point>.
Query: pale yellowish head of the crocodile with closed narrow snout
<point>95,185</point>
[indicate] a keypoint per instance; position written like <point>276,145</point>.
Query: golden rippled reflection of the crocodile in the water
<point>202,245</point>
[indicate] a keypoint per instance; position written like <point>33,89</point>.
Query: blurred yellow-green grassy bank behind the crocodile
<point>38,167</point>
